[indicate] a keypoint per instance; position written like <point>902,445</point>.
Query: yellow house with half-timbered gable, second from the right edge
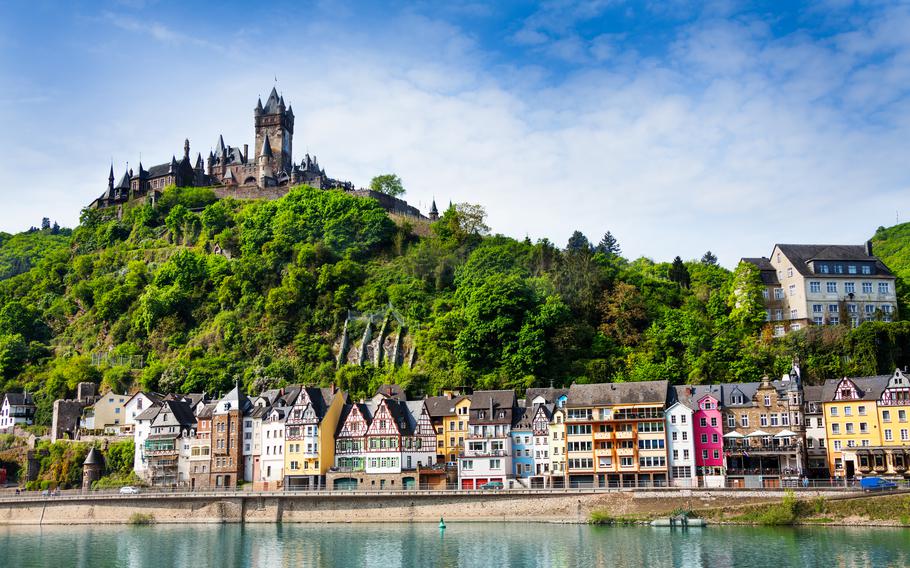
<point>851,420</point>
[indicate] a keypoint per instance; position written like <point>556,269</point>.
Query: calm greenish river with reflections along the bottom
<point>515,545</point>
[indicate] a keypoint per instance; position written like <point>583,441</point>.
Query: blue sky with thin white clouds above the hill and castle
<point>680,127</point>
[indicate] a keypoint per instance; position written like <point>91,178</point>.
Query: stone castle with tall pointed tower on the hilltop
<point>231,173</point>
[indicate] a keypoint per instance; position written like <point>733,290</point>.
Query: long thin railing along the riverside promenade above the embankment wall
<point>10,496</point>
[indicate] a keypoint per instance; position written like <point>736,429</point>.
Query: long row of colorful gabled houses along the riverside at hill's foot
<point>760,434</point>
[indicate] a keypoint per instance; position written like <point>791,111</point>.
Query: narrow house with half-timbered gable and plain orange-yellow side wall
<point>309,441</point>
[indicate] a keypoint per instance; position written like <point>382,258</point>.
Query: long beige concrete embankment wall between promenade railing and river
<point>369,507</point>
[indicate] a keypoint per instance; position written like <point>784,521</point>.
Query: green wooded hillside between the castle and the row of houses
<point>483,311</point>
